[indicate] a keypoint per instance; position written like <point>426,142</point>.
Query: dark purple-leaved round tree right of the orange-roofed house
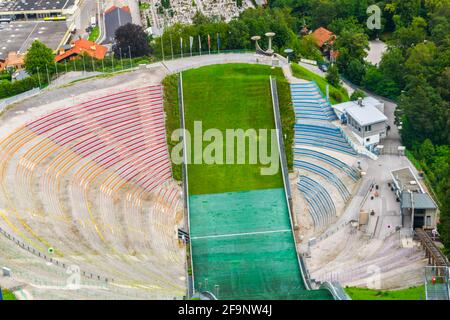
<point>137,43</point>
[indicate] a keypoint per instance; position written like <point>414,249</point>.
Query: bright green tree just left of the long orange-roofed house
<point>38,57</point>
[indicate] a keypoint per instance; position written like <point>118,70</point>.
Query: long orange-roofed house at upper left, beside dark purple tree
<point>79,47</point>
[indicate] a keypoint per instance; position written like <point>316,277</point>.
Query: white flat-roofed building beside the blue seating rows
<point>365,118</point>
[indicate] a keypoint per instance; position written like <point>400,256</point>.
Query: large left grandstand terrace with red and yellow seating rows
<point>93,181</point>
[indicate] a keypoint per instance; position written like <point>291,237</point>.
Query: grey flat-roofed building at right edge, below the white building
<point>417,207</point>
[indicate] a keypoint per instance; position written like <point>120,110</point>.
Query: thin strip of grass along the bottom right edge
<point>414,293</point>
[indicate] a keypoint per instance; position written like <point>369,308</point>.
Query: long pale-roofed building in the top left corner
<point>36,9</point>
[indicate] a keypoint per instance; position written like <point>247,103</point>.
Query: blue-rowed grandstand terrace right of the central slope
<point>323,157</point>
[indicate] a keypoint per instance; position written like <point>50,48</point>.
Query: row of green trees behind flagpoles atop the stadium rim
<point>233,35</point>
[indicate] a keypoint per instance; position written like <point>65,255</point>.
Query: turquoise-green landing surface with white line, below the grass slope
<point>242,242</point>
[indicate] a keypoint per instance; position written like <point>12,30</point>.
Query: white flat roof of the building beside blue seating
<point>366,114</point>
